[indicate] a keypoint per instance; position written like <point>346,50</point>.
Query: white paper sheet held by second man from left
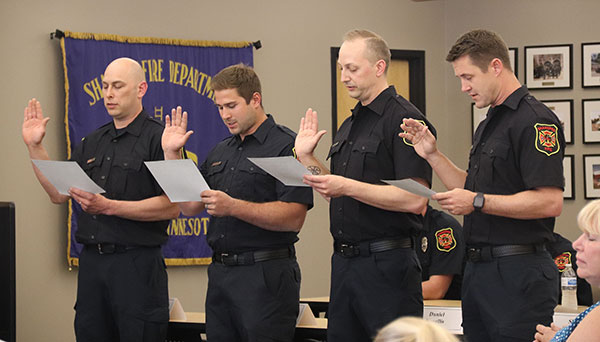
<point>180,179</point>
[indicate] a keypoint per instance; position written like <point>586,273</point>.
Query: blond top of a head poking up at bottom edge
<point>414,329</point>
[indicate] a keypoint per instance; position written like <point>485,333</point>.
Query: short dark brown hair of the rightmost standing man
<point>482,46</point>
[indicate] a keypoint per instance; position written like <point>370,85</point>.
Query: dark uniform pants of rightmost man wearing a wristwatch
<point>505,298</point>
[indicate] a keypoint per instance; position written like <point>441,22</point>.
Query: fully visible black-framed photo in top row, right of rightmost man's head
<point>549,66</point>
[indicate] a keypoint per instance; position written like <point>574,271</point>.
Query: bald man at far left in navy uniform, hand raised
<point>122,292</point>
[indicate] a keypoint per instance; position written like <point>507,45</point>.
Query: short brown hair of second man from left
<point>240,77</point>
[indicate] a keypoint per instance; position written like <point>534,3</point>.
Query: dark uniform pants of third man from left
<point>367,292</point>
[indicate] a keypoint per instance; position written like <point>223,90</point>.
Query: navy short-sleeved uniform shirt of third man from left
<point>367,148</point>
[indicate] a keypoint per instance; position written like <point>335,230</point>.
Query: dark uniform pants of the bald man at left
<point>122,296</point>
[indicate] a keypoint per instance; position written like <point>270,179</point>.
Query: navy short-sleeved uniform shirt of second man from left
<point>228,169</point>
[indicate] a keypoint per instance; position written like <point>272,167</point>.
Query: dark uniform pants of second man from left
<point>253,303</point>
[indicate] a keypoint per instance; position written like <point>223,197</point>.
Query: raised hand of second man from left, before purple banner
<point>175,134</point>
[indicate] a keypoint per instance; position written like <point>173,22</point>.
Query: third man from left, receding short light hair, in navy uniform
<point>375,275</point>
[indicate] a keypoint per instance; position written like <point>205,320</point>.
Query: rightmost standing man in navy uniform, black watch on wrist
<point>510,195</point>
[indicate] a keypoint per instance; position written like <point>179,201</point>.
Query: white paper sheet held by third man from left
<point>287,170</point>
